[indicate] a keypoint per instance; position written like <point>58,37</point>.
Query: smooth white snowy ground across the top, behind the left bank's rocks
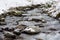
<point>5,4</point>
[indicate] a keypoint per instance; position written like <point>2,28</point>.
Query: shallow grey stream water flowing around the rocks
<point>51,23</point>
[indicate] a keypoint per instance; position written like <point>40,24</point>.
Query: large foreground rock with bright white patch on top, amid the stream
<point>32,30</point>
